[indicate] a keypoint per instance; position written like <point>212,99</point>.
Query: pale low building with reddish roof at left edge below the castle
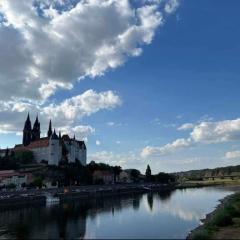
<point>11,177</point>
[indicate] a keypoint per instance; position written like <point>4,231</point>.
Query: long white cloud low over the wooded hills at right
<point>204,132</point>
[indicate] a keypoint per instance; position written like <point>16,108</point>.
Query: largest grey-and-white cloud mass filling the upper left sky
<point>46,45</point>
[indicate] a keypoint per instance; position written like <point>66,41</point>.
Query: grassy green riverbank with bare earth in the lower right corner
<point>223,223</point>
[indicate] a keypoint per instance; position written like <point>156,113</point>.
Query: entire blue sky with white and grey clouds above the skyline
<point>142,82</point>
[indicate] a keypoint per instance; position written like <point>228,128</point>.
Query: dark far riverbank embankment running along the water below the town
<point>16,198</point>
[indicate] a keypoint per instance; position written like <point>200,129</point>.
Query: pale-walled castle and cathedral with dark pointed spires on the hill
<point>50,148</point>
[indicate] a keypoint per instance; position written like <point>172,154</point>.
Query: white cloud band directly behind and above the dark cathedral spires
<point>65,115</point>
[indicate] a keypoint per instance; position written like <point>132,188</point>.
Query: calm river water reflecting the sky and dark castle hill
<point>159,215</point>
